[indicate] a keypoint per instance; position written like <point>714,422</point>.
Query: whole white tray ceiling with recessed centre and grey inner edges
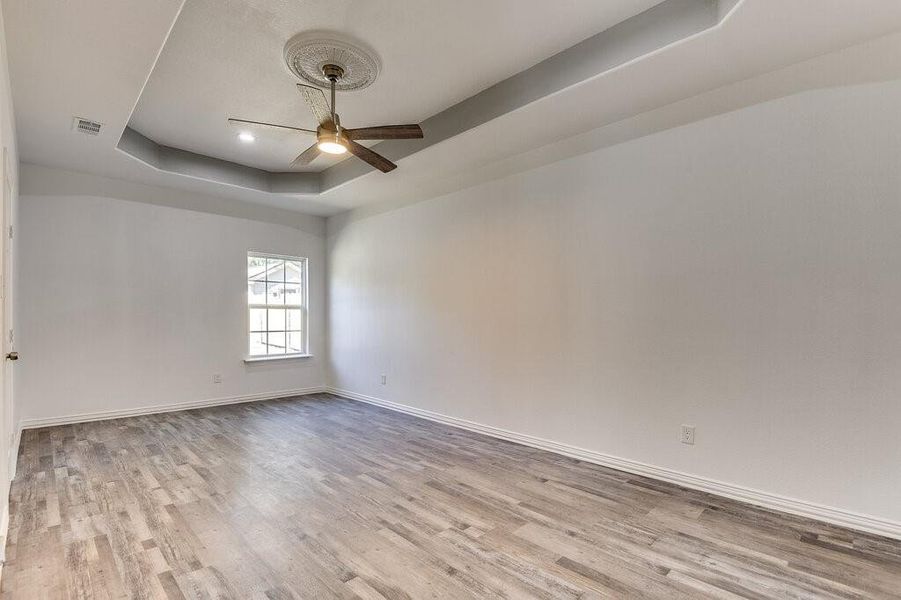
<point>680,61</point>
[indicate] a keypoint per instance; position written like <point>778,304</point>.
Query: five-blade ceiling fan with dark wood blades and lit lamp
<point>331,138</point>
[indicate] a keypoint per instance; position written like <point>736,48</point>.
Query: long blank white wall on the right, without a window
<point>741,274</point>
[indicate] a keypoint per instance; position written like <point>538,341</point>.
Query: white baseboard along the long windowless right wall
<point>802,508</point>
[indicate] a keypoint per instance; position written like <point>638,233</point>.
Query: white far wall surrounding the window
<point>125,304</point>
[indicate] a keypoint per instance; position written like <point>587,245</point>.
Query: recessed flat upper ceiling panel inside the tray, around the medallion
<point>225,58</point>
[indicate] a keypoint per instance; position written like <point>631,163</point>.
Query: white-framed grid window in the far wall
<point>276,305</point>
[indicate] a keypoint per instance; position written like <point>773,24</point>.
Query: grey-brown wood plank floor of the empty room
<point>320,497</point>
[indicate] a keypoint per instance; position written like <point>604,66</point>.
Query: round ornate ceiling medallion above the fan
<point>307,53</point>
